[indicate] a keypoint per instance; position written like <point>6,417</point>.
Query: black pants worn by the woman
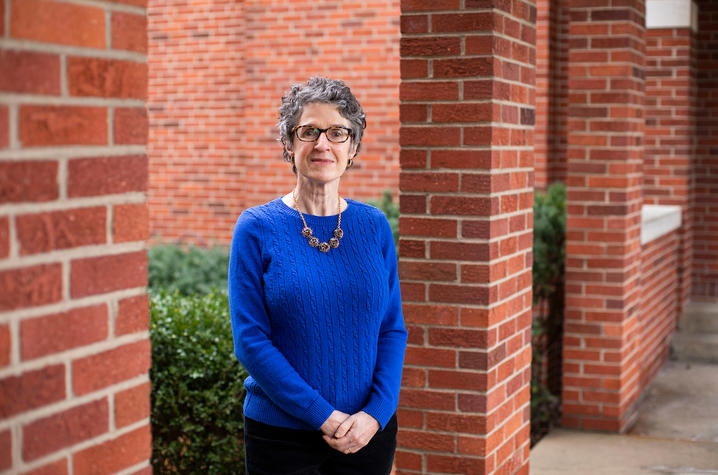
<point>271,450</point>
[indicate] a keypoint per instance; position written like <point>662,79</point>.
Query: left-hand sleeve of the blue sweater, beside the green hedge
<point>251,330</point>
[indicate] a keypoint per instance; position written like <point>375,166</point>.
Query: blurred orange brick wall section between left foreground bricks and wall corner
<point>196,83</point>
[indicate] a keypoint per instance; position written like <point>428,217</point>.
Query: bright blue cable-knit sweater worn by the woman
<point>316,332</point>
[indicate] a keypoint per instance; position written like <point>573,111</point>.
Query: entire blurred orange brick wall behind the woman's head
<point>218,71</point>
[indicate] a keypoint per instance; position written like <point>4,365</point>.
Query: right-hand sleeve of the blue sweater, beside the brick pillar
<point>384,397</point>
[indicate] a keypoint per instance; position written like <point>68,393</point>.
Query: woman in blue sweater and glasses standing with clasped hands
<point>315,305</point>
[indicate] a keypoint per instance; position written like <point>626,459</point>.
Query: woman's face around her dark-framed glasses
<point>321,161</point>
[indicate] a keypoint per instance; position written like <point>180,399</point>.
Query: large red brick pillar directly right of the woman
<point>465,251</point>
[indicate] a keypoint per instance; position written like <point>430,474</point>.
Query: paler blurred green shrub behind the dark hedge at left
<point>195,271</point>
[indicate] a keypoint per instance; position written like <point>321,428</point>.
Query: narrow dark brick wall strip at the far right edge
<point>705,257</point>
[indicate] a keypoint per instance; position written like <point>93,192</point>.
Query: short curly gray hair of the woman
<point>324,91</point>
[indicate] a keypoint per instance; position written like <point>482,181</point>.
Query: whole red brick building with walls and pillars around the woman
<point>128,120</point>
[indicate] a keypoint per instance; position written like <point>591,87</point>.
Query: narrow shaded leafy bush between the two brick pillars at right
<point>549,252</point>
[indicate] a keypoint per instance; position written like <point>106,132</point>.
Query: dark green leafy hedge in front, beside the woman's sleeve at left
<point>197,386</point>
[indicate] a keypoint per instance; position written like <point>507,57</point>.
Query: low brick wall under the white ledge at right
<point>659,302</point>
